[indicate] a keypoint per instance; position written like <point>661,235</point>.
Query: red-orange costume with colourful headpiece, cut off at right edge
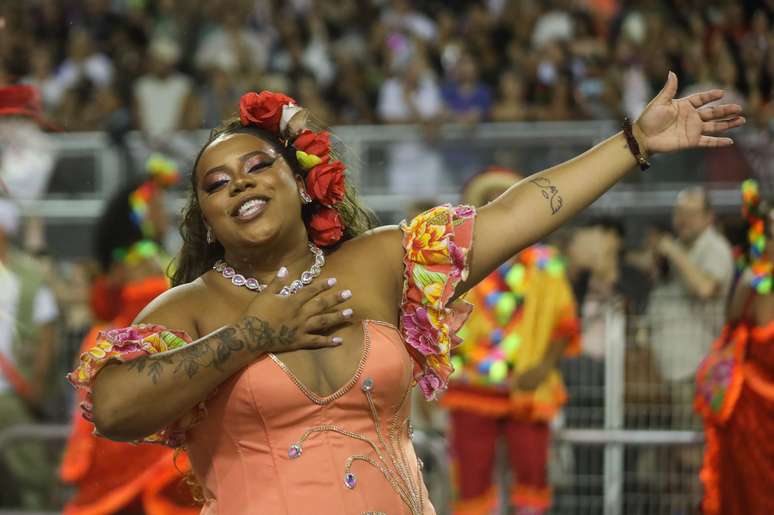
<point>735,396</point>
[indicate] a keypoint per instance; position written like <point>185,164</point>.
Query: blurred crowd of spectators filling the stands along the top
<point>160,65</point>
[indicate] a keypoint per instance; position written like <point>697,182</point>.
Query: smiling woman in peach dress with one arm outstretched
<point>292,397</point>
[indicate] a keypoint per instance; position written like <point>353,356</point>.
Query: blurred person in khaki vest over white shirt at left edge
<point>27,355</point>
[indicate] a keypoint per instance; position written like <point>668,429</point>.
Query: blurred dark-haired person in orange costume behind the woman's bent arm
<point>116,477</point>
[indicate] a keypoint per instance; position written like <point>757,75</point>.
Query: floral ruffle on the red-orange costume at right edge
<point>719,377</point>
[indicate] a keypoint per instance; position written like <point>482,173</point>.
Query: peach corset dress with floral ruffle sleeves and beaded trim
<point>264,443</point>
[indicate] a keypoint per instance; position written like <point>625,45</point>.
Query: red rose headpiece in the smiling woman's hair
<point>279,114</point>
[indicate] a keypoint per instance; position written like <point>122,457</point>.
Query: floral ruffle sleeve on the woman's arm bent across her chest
<point>126,344</point>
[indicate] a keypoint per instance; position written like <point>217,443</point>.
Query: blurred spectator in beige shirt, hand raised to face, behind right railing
<point>685,315</point>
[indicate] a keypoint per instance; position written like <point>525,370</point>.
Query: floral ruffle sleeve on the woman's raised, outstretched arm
<point>436,243</point>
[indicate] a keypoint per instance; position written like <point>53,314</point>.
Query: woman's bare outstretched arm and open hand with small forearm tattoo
<point>539,204</point>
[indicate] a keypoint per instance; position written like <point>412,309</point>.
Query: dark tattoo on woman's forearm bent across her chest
<point>214,352</point>
